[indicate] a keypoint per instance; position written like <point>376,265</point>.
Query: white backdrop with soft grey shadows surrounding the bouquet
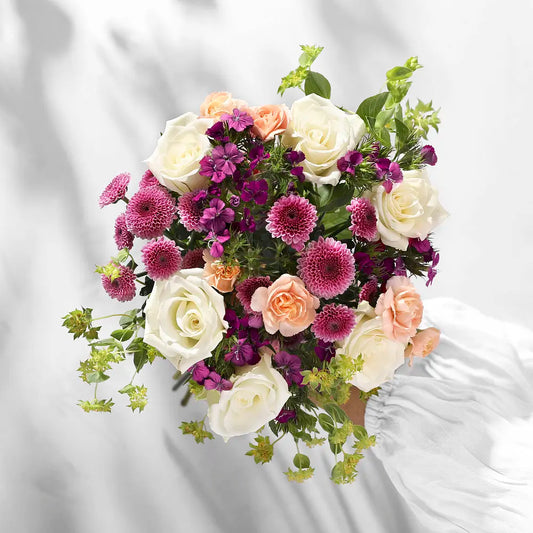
<point>85,89</point>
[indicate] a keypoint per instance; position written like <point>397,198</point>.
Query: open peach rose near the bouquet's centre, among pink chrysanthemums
<point>286,305</point>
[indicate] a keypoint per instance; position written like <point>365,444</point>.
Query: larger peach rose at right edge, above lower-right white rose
<point>400,308</point>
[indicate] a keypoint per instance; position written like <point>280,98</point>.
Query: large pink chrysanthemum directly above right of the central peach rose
<point>326,267</point>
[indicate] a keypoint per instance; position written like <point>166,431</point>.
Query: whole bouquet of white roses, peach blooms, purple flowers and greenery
<point>272,250</point>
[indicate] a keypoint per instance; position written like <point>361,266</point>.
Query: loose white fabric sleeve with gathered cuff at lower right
<point>455,431</point>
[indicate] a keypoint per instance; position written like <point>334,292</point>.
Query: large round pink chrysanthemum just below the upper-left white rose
<point>150,212</point>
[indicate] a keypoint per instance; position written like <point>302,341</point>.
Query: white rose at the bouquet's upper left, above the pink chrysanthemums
<point>176,158</point>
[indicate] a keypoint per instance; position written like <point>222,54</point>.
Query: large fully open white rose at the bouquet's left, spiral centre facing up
<point>185,318</point>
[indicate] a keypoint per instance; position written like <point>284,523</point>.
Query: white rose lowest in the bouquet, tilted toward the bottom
<point>257,396</point>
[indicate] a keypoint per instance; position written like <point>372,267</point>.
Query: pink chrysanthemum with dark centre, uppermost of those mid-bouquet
<point>292,218</point>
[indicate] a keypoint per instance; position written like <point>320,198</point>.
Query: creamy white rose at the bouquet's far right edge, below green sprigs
<point>411,209</point>
